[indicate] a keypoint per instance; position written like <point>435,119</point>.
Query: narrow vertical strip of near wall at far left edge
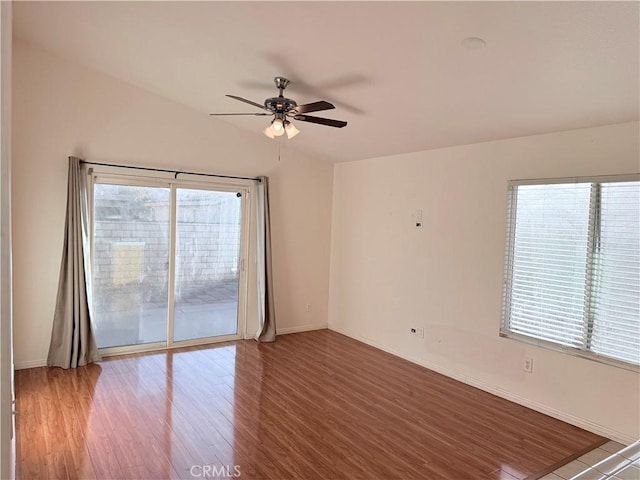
<point>7,438</point>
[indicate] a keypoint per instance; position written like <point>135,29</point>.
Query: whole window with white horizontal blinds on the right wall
<point>572,268</point>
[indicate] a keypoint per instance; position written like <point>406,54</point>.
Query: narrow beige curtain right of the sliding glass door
<point>266,311</point>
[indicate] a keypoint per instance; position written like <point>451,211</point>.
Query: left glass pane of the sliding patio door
<point>131,260</point>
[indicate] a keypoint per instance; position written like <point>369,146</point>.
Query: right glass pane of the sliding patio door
<point>207,263</point>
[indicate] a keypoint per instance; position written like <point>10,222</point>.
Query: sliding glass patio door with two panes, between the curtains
<point>167,263</point>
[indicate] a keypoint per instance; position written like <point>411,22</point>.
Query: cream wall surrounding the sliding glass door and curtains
<point>63,109</point>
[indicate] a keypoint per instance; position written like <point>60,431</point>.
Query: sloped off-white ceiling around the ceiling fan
<point>396,71</point>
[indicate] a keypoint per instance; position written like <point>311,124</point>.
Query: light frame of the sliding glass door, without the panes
<point>245,187</point>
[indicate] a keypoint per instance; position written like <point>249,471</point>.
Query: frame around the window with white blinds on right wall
<point>507,283</point>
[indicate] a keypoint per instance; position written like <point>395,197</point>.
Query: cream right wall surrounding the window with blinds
<point>387,276</point>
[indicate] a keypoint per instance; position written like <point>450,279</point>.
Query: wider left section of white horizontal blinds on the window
<point>549,262</point>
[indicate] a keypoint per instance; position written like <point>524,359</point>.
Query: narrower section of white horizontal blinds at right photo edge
<point>615,304</point>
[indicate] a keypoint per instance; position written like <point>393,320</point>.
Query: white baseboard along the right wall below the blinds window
<point>499,392</point>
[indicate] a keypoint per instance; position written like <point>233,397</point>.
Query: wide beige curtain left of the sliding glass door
<point>72,341</point>
